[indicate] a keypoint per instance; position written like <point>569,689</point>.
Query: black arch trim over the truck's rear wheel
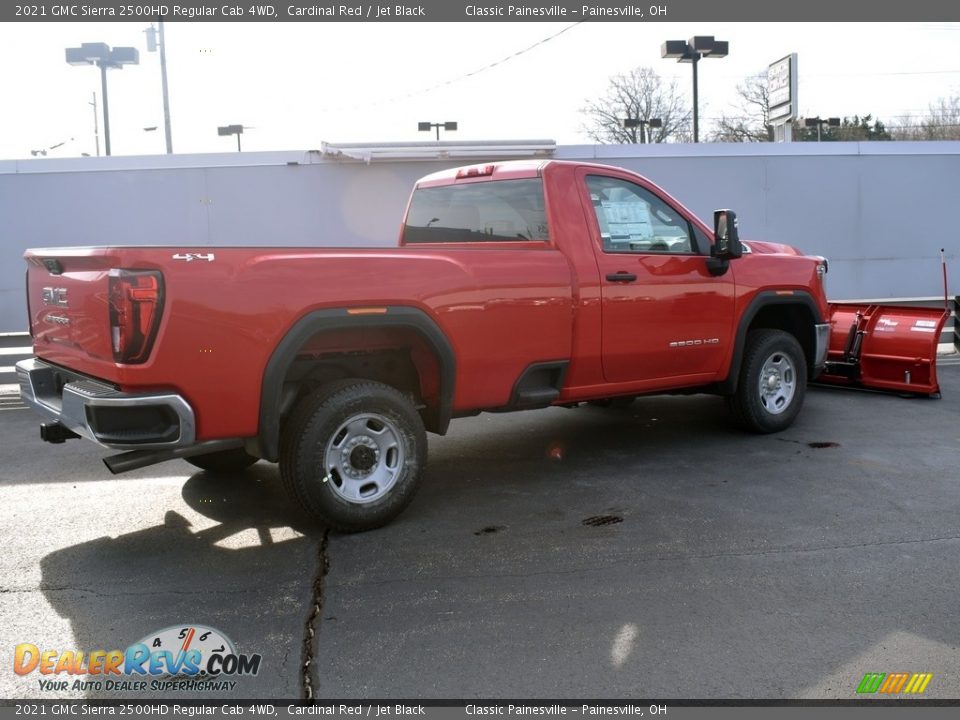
<point>284,355</point>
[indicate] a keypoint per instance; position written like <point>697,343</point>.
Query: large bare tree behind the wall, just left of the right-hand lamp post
<point>639,94</point>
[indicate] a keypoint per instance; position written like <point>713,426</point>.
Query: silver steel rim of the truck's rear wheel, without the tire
<point>364,458</point>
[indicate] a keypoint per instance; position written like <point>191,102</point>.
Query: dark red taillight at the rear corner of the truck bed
<point>136,303</point>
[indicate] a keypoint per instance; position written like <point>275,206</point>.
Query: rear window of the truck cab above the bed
<point>487,211</point>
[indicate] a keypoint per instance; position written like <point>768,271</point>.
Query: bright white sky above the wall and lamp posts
<point>296,85</point>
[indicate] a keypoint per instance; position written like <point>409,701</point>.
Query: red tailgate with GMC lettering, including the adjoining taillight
<point>85,312</point>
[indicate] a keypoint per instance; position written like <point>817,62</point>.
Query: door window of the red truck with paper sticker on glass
<point>634,220</point>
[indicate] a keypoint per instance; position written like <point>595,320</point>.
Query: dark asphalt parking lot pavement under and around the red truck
<point>651,552</point>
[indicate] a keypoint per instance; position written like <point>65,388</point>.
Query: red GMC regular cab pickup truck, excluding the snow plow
<point>516,285</point>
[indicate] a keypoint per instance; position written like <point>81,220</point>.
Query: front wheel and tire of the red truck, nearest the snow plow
<point>772,382</point>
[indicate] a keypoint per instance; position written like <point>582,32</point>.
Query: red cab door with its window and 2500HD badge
<point>664,316</point>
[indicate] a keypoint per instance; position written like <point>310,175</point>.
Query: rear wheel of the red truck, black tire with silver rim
<point>352,454</point>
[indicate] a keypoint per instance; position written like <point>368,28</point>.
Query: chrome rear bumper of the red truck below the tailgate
<point>103,414</point>
